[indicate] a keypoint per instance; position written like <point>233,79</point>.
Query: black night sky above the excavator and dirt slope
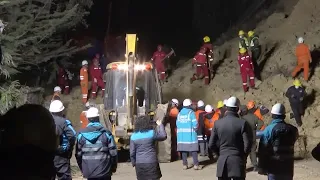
<point>180,24</point>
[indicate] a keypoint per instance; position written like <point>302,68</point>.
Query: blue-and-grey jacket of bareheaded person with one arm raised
<point>142,145</point>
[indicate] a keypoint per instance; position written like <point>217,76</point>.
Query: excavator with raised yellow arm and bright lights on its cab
<point>133,89</point>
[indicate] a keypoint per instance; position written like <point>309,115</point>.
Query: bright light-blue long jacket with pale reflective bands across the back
<point>187,130</point>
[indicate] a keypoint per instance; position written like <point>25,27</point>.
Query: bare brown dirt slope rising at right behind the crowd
<point>278,38</point>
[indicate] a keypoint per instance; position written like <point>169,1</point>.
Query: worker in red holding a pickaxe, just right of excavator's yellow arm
<point>158,58</point>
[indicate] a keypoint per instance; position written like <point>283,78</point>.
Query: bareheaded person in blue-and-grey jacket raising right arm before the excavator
<point>143,151</point>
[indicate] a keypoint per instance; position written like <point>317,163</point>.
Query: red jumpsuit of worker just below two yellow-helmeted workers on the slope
<point>246,69</point>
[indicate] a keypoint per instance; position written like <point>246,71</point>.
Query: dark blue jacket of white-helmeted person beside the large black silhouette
<point>67,136</point>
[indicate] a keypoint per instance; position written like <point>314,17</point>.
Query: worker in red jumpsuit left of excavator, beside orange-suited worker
<point>96,77</point>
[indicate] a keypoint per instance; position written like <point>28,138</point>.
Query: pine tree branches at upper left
<point>34,35</point>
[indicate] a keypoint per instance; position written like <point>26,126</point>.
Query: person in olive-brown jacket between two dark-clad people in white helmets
<point>255,124</point>
